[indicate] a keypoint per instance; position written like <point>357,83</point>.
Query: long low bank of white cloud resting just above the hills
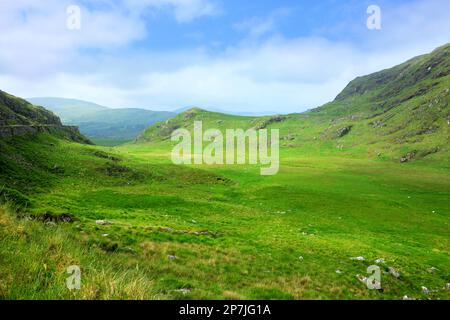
<point>279,74</point>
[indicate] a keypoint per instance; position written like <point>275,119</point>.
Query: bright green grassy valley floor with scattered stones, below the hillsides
<point>222,231</point>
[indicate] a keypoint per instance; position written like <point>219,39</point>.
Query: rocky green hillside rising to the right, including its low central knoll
<point>402,113</point>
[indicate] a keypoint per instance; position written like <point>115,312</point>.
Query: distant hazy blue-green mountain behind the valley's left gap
<point>100,123</point>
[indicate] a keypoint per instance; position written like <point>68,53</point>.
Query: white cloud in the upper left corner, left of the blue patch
<point>34,35</point>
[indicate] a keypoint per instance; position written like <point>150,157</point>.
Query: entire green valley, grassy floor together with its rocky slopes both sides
<point>364,180</point>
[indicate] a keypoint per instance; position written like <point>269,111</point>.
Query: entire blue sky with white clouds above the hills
<point>252,56</point>
